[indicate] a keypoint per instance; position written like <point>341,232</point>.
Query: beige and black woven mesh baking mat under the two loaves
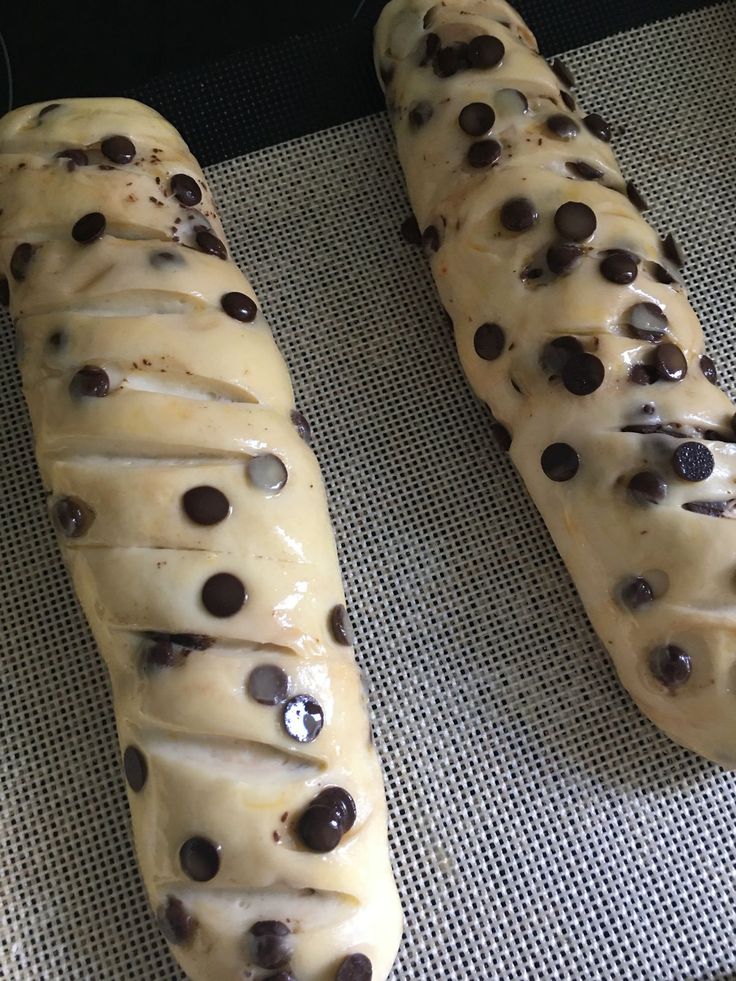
<point>541,828</point>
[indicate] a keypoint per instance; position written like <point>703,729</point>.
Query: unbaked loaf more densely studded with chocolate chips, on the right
<point>572,324</point>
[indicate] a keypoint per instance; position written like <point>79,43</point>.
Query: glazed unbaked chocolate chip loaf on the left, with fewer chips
<point>192,516</point>
